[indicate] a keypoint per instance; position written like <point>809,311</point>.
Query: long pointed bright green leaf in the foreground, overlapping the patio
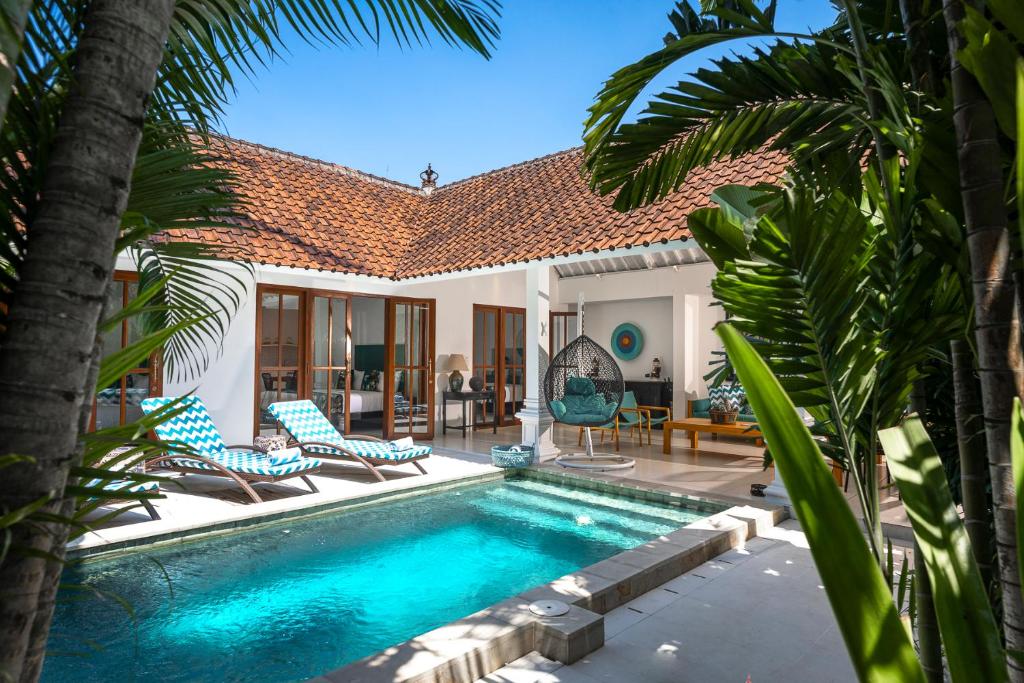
<point>879,646</point>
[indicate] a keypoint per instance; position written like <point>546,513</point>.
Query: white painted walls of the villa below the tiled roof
<point>229,386</point>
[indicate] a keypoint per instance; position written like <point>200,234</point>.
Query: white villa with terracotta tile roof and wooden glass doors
<point>649,272</point>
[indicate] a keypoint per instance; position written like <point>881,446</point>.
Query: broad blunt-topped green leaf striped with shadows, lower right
<point>973,645</point>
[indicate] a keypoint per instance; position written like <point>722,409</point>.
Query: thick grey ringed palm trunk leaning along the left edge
<point>49,346</point>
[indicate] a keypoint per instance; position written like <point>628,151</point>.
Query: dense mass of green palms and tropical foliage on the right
<point>862,269</point>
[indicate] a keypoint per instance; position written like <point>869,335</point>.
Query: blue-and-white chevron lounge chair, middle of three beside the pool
<point>244,464</point>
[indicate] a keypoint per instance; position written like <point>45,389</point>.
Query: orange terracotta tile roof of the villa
<point>311,215</point>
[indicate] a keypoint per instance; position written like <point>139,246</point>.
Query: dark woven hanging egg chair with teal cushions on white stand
<point>584,388</point>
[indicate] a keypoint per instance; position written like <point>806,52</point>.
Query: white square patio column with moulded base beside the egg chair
<point>537,422</point>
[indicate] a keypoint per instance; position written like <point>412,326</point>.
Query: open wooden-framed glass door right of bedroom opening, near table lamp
<point>410,377</point>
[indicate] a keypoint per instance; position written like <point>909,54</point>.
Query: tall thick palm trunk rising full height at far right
<point>998,331</point>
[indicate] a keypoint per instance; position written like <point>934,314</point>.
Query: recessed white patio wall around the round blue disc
<point>654,317</point>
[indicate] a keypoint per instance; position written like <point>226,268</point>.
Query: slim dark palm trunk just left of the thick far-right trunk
<point>974,466</point>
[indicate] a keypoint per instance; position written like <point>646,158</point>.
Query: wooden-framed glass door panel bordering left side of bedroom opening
<point>331,360</point>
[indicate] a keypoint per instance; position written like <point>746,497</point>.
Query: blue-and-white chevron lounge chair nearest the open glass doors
<point>315,434</point>
